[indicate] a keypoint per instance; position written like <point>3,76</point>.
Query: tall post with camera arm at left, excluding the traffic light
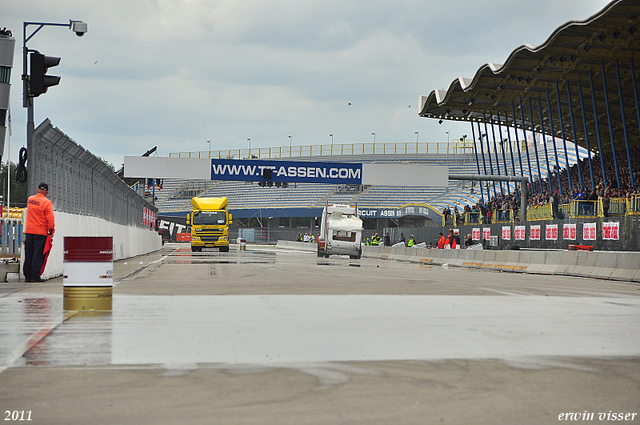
<point>80,28</point>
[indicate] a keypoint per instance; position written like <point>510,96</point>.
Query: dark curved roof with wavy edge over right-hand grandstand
<point>546,79</point>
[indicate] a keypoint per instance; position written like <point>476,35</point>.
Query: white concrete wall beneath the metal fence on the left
<point>127,241</point>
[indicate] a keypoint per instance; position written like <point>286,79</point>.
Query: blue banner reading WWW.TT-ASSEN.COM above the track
<point>286,171</point>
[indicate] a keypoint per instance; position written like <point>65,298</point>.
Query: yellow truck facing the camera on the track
<point>209,222</point>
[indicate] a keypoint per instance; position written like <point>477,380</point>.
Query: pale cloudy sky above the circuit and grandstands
<point>178,73</point>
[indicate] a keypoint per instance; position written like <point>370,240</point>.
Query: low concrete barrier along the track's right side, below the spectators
<point>620,265</point>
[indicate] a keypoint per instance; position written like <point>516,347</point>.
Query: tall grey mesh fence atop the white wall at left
<point>79,183</point>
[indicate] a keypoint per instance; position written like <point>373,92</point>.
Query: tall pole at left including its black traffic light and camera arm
<point>80,28</point>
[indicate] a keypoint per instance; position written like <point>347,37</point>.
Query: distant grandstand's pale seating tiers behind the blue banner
<point>305,199</point>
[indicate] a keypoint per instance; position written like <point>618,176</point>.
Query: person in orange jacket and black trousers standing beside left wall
<point>39,224</point>
